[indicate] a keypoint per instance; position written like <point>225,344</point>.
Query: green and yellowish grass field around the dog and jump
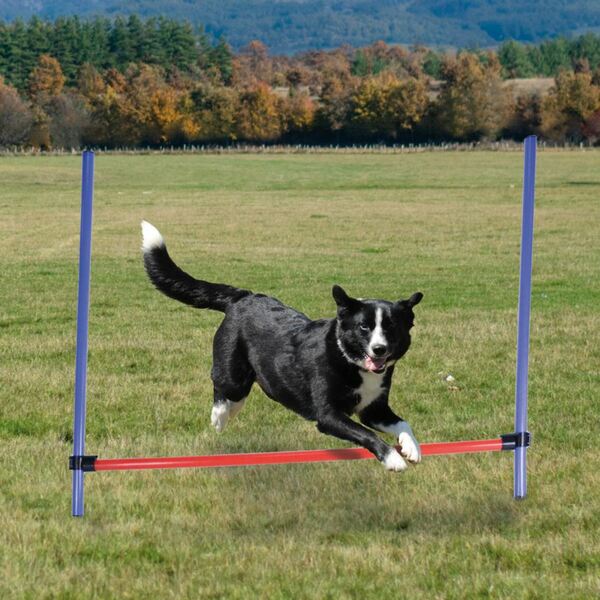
<point>382,226</point>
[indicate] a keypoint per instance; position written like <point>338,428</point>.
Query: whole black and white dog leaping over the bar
<point>324,370</point>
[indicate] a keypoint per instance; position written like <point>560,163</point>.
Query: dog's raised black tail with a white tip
<point>175,283</point>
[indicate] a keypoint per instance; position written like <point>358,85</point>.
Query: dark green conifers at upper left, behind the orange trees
<point>106,44</point>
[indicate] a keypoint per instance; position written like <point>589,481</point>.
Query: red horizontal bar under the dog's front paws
<point>280,458</point>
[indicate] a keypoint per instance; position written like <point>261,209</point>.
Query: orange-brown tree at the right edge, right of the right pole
<point>571,103</point>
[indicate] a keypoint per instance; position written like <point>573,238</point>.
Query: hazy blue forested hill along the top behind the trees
<point>289,26</point>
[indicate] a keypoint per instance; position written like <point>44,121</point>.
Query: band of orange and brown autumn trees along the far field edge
<point>373,94</point>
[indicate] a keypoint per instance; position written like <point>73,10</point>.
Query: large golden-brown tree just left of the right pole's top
<point>473,103</point>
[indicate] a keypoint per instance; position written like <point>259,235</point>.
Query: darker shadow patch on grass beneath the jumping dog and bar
<point>341,504</point>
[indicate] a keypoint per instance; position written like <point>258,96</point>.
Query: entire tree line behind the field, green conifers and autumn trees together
<point>133,82</point>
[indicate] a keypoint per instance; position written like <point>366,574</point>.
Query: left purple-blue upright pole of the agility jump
<point>83,308</point>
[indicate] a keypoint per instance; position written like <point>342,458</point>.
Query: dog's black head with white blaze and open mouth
<point>373,334</point>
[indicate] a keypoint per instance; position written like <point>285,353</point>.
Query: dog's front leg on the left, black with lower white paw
<point>338,424</point>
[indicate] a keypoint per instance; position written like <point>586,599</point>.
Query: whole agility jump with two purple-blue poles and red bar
<point>519,441</point>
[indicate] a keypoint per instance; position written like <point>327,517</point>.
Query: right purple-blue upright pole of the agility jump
<point>520,481</point>
